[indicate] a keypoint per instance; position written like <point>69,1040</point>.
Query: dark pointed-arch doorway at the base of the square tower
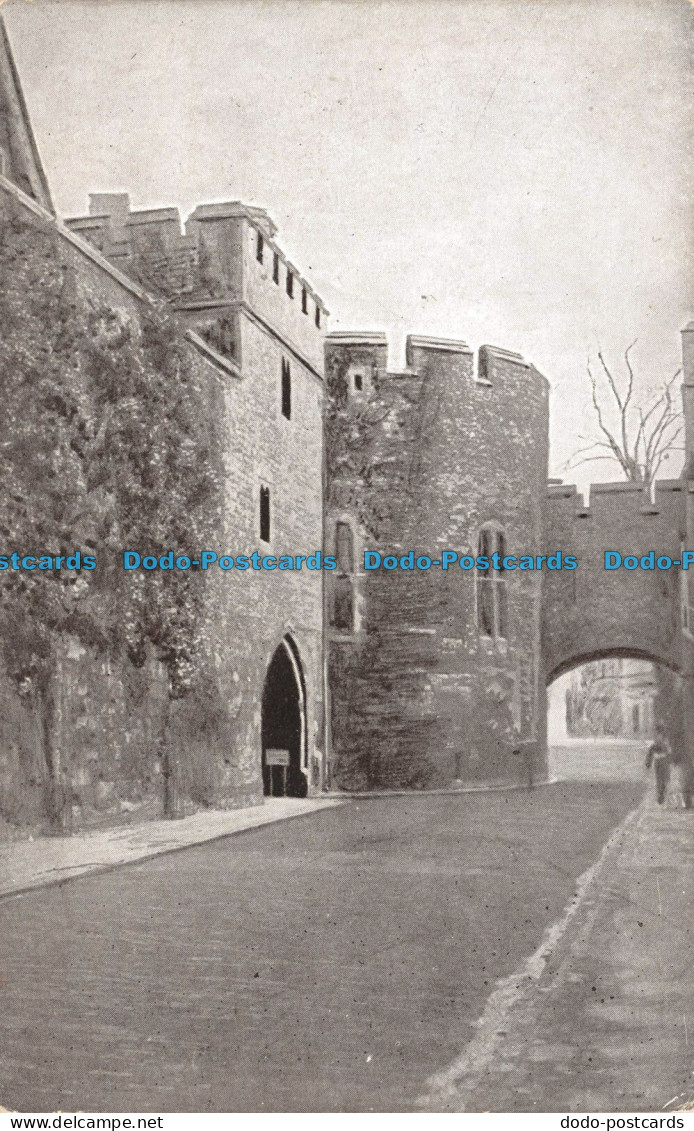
<point>284,726</point>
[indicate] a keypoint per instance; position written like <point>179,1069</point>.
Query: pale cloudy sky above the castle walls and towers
<point>515,172</point>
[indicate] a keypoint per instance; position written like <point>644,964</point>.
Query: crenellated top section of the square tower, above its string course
<point>224,263</point>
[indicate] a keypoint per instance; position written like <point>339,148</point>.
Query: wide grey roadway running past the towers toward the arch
<point>331,963</point>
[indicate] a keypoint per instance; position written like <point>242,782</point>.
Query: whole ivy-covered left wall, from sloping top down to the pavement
<point>110,441</point>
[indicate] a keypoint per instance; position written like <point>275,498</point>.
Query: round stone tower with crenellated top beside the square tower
<point>422,461</point>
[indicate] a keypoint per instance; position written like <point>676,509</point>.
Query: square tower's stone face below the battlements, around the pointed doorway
<point>258,609</point>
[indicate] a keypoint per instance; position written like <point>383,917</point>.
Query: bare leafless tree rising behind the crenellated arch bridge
<point>638,436</point>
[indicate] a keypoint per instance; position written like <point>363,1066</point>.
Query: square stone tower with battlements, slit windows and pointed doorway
<point>221,280</point>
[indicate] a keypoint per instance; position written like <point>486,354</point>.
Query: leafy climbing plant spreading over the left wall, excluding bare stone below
<point>107,444</point>
